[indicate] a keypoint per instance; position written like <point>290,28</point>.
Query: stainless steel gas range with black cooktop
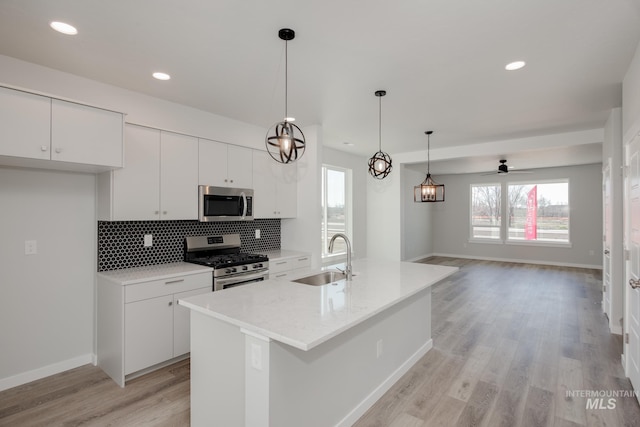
<point>230,266</point>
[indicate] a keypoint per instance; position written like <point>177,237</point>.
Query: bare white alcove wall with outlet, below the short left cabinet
<point>47,314</point>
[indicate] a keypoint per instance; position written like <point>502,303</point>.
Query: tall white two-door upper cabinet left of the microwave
<point>159,180</point>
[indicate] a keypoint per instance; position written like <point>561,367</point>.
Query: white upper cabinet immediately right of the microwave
<point>275,187</point>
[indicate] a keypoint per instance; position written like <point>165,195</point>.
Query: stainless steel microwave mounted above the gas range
<point>224,204</point>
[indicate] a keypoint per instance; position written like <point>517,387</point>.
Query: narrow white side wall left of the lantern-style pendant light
<point>417,227</point>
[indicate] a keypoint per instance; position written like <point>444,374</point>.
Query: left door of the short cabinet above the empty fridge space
<point>25,124</point>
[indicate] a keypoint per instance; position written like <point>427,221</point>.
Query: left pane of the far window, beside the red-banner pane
<point>486,211</point>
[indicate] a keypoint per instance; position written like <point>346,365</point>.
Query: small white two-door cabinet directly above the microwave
<point>224,165</point>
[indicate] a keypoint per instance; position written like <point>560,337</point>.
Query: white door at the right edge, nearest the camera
<point>632,207</point>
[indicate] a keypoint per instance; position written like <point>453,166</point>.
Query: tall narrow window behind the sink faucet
<point>336,212</point>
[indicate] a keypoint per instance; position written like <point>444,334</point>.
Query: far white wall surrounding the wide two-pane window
<point>451,221</point>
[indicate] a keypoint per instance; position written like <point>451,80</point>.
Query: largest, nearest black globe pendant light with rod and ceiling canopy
<point>285,141</point>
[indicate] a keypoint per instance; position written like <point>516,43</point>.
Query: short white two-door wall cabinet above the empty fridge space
<point>38,131</point>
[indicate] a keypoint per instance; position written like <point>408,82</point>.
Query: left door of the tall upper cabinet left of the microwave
<point>136,187</point>
